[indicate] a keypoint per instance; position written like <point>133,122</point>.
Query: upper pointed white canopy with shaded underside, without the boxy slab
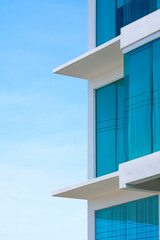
<point>95,62</point>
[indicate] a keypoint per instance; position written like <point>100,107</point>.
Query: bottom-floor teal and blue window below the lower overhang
<point>134,220</point>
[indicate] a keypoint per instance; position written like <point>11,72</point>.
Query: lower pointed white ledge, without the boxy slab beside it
<point>92,188</point>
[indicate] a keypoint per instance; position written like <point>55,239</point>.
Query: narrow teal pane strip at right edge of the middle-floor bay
<point>156,95</point>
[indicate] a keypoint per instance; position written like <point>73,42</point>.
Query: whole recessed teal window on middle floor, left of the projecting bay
<point>109,127</point>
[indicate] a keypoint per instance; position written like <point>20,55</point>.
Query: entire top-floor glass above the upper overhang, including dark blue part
<point>111,16</point>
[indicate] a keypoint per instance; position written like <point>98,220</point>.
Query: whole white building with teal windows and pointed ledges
<point>122,67</point>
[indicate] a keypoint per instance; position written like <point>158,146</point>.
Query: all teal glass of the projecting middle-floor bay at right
<point>142,101</point>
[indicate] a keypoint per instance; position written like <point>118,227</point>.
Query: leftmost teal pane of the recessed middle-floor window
<point>106,129</point>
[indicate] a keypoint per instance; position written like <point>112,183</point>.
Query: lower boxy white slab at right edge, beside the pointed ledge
<point>141,173</point>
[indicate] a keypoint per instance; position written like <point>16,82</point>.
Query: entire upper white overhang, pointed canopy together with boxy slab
<point>109,55</point>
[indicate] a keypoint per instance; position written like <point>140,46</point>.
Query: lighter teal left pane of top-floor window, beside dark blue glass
<point>105,21</point>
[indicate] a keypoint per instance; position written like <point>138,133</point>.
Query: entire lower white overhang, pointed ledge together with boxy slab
<point>141,174</point>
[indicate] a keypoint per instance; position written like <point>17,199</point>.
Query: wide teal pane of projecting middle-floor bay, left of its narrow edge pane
<point>138,102</point>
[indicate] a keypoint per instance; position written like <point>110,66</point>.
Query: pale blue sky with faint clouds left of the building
<point>43,123</point>
